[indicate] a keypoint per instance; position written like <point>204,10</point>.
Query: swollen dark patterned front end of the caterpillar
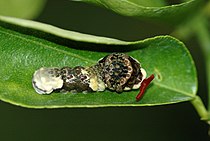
<point>121,72</point>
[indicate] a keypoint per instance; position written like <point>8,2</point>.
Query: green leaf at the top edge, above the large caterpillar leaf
<point>153,10</point>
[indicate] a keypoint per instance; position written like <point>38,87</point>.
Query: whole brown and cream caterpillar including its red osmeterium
<point>116,72</point>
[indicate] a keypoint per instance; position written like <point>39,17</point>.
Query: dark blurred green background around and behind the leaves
<point>177,122</point>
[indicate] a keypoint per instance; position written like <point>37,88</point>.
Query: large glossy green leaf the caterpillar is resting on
<point>25,46</point>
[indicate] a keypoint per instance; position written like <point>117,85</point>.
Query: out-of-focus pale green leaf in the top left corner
<point>28,9</point>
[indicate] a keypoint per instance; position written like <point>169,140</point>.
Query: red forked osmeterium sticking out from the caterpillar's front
<point>143,86</point>
